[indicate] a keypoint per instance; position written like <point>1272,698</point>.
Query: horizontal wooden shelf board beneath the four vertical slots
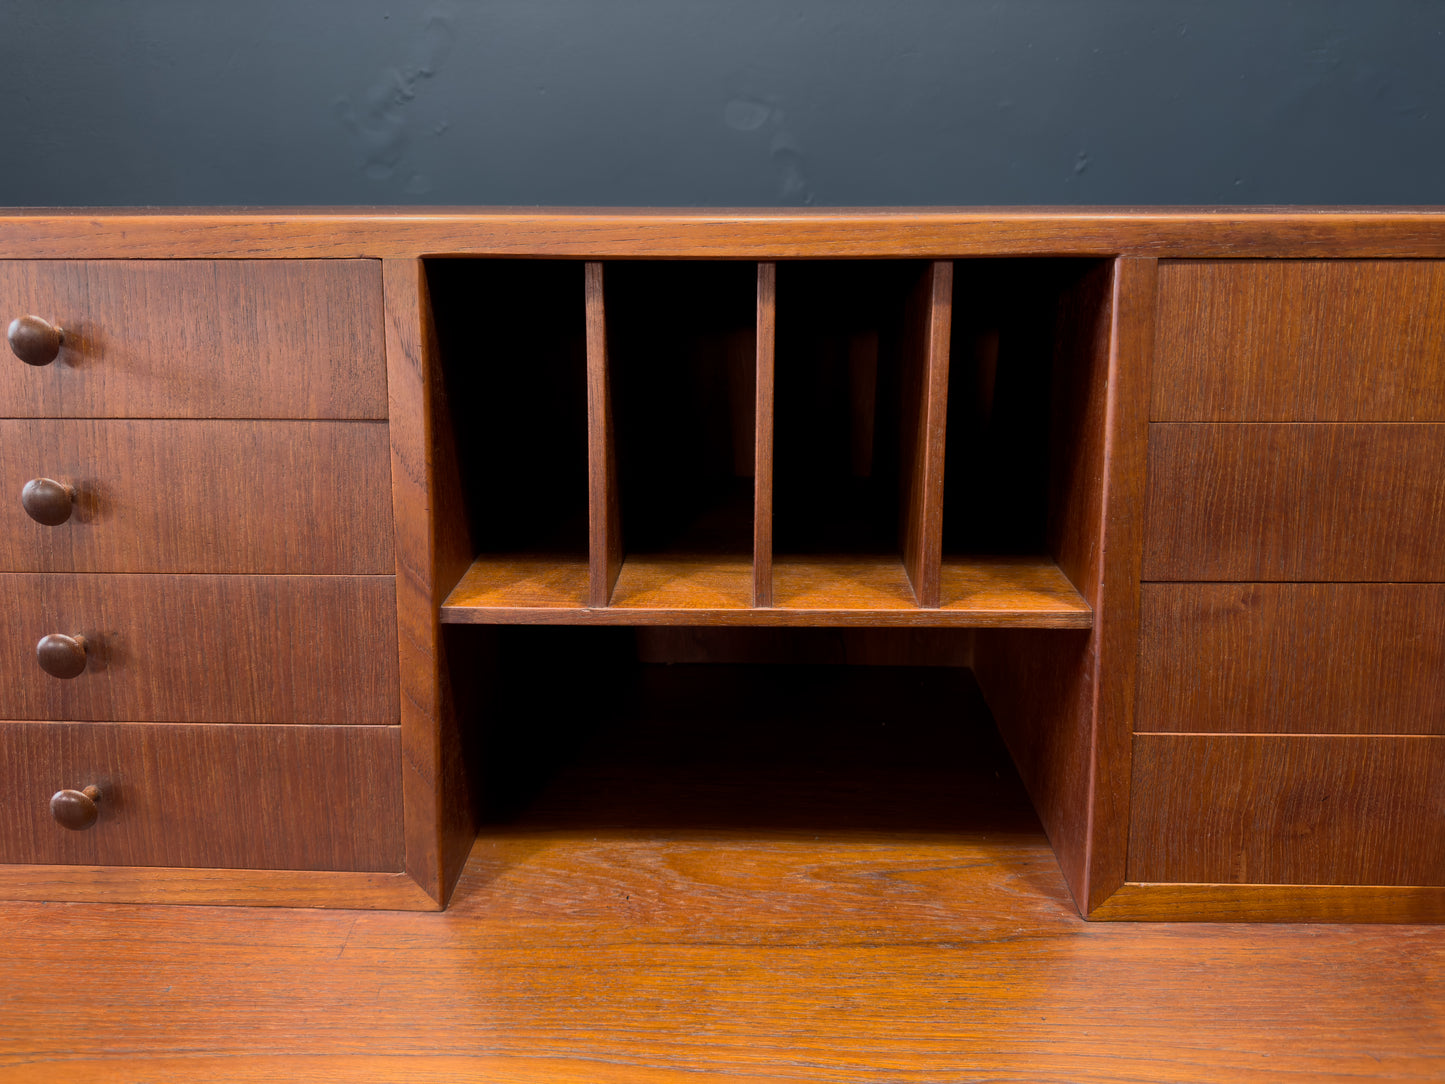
<point>978,592</point>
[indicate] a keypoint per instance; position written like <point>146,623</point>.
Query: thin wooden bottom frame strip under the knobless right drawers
<point>1171,903</point>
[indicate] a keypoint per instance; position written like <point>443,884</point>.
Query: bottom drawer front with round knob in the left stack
<point>307,799</point>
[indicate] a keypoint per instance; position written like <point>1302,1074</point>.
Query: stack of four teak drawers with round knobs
<point>216,567</point>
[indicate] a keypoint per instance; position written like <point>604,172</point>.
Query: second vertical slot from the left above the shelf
<point>674,388</point>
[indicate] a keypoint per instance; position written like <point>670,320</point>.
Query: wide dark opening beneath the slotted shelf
<point>748,734</point>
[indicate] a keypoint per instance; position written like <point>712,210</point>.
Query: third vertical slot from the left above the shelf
<point>858,434</point>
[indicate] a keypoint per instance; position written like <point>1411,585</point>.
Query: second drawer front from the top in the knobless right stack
<point>1295,502</point>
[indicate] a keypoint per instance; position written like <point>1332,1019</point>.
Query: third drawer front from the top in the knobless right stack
<point>1293,658</point>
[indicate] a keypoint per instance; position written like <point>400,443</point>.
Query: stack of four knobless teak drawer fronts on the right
<point>1291,705</point>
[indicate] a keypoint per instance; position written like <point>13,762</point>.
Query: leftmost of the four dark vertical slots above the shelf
<point>511,342</point>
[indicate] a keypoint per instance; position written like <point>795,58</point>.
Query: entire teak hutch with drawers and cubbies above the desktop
<point>1177,476</point>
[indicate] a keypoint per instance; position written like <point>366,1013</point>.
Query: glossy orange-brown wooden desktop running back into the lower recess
<point>803,943</point>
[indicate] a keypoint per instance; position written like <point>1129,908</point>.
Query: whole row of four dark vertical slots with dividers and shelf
<point>794,443</point>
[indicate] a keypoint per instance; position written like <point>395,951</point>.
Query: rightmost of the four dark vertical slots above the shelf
<point>1022,333</point>
